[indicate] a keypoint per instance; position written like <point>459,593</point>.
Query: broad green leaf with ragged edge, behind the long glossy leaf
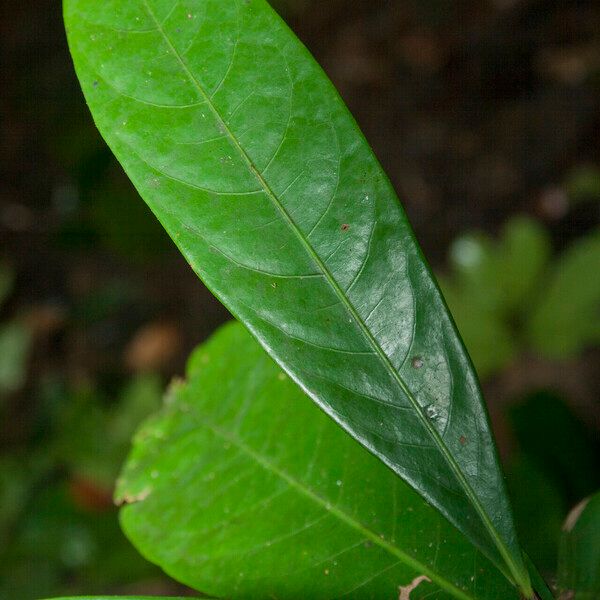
<point>243,488</point>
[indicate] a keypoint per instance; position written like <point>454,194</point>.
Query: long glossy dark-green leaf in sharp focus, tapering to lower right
<point>245,152</point>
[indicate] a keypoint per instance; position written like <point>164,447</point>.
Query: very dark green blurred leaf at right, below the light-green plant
<point>557,464</point>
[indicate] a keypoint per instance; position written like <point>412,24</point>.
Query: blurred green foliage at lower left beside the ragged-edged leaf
<point>56,516</point>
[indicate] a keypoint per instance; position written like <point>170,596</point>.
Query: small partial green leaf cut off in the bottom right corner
<point>579,555</point>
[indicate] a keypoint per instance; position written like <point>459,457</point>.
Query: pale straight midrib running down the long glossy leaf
<point>346,302</point>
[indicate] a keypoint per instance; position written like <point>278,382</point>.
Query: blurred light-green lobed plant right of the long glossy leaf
<point>508,297</point>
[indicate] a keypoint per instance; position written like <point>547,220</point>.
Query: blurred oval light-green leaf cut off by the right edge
<point>566,320</point>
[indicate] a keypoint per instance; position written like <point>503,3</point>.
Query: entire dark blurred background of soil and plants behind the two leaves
<point>485,114</point>
